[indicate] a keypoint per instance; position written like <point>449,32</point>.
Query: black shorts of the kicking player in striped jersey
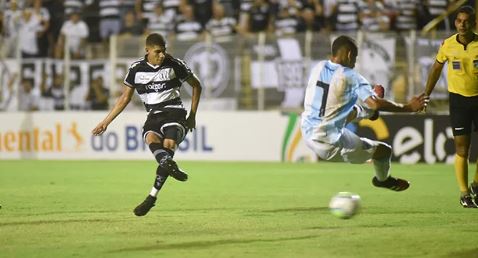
<point>170,124</point>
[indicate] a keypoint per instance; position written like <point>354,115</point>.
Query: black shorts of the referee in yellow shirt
<point>463,114</point>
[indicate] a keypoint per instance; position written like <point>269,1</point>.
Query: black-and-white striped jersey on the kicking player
<point>158,85</point>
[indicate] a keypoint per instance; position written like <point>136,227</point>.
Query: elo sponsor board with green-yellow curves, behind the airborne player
<point>414,138</point>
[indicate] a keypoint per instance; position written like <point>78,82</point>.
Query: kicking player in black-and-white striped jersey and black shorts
<point>157,78</point>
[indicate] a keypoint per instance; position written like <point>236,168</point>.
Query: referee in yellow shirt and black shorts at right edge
<point>461,52</point>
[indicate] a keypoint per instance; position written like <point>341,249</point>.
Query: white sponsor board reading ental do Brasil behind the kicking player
<point>254,136</point>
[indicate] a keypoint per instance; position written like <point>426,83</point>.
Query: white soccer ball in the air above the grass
<point>344,205</point>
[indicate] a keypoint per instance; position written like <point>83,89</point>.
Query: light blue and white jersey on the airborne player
<point>331,93</point>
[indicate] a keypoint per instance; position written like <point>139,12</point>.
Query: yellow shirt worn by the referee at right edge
<point>462,65</point>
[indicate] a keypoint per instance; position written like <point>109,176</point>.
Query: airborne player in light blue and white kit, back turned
<point>331,101</point>
